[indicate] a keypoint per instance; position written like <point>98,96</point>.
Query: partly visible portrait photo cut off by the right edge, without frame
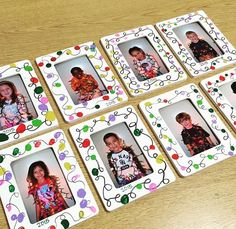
<point>229,92</point>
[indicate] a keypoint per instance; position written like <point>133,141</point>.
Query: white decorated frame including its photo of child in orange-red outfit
<point>96,89</point>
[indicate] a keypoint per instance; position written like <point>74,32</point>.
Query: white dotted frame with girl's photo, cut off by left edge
<point>24,107</point>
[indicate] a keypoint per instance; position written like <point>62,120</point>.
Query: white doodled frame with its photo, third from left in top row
<point>158,67</point>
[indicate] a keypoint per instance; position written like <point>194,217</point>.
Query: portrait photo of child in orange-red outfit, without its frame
<point>81,80</point>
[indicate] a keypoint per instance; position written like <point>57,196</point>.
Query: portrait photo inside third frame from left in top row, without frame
<point>143,59</point>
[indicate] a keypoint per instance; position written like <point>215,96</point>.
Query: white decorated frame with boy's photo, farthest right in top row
<point>198,43</point>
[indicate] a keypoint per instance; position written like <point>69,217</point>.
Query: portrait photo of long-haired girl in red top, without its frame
<point>43,189</point>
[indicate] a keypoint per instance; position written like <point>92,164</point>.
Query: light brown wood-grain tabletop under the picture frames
<point>29,29</point>
